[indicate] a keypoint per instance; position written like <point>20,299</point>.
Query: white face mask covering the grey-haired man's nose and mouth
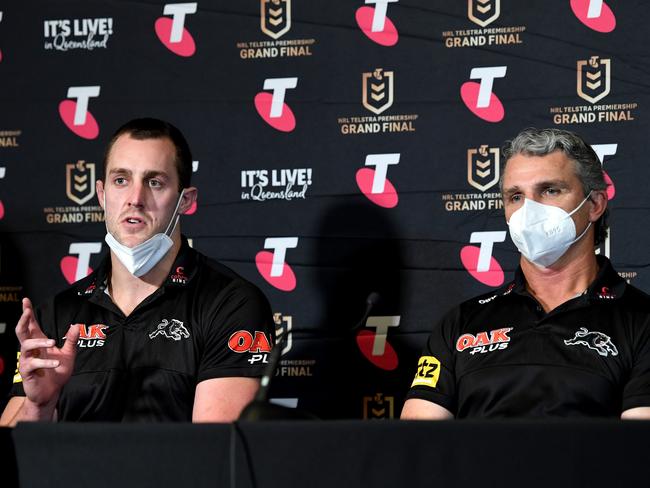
<point>543,233</point>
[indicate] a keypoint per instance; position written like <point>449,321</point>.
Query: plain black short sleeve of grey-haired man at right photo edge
<point>636,392</point>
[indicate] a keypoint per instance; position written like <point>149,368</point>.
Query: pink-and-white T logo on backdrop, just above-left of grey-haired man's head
<point>479,98</point>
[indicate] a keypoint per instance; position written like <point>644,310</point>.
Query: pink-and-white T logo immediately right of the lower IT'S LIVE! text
<point>374,183</point>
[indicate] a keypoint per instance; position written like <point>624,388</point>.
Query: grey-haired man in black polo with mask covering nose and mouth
<point>567,337</point>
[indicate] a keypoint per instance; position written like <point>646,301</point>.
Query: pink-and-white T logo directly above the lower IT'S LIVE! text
<point>271,106</point>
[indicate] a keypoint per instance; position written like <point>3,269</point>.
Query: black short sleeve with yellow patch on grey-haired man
<point>435,378</point>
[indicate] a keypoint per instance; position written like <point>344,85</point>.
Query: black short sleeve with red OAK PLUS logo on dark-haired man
<point>237,334</point>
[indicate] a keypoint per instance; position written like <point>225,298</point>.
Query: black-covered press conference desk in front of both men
<point>331,454</point>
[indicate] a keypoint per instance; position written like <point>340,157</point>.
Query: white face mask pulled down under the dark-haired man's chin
<point>141,258</point>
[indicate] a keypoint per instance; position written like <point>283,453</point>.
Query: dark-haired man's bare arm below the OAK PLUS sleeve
<point>222,399</point>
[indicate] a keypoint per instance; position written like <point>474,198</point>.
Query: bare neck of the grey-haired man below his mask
<point>570,276</point>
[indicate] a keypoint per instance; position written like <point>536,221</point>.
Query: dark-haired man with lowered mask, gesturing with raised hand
<point>158,331</point>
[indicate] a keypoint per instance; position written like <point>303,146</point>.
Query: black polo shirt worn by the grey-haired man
<point>501,355</point>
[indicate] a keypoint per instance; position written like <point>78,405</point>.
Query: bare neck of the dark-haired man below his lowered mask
<point>128,291</point>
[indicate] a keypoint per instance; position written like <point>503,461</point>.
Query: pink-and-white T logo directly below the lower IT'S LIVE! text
<point>273,266</point>
